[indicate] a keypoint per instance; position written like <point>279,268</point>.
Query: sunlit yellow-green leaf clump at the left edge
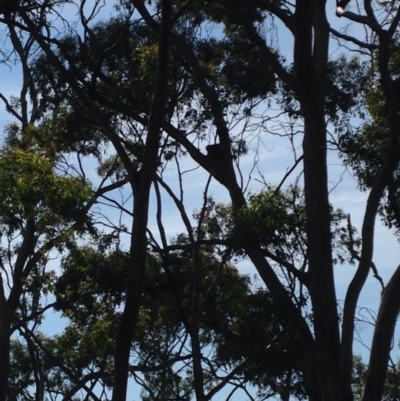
<point>31,189</point>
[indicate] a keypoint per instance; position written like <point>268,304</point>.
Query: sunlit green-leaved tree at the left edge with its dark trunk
<point>40,211</point>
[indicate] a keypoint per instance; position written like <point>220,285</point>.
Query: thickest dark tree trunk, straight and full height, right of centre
<point>310,63</point>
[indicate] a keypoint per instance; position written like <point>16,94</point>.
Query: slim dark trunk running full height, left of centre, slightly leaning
<point>141,204</point>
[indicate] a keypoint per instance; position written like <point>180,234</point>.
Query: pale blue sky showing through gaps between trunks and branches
<point>275,158</point>
